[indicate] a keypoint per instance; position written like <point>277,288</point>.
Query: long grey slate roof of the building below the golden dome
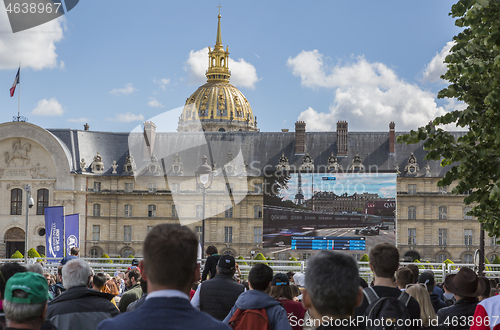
<point>260,150</point>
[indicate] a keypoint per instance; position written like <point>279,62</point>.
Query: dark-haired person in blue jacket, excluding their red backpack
<point>259,280</point>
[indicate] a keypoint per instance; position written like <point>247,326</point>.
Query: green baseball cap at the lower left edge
<point>34,285</point>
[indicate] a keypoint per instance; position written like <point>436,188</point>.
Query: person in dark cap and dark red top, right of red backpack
<point>280,290</point>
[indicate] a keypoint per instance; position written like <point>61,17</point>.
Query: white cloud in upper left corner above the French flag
<point>34,47</point>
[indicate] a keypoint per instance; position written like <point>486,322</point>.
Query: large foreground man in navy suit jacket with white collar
<point>167,303</point>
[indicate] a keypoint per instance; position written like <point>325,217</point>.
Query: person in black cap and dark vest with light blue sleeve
<point>217,296</point>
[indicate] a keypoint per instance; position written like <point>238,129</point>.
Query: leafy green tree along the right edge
<point>474,77</point>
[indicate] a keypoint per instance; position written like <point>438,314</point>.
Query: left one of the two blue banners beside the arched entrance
<point>54,229</point>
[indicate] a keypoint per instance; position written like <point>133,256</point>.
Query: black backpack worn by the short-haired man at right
<point>387,312</point>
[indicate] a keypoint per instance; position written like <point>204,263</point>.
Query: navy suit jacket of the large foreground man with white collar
<point>163,313</point>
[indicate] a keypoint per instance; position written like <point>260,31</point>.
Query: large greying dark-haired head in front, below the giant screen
<point>332,285</point>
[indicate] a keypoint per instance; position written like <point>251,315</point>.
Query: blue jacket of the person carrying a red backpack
<point>254,299</point>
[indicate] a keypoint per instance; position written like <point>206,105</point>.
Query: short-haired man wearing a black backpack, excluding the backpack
<point>384,261</point>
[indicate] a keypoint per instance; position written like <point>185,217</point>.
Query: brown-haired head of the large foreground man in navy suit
<point>170,253</point>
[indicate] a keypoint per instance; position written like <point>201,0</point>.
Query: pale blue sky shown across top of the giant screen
<point>383,184</point>
